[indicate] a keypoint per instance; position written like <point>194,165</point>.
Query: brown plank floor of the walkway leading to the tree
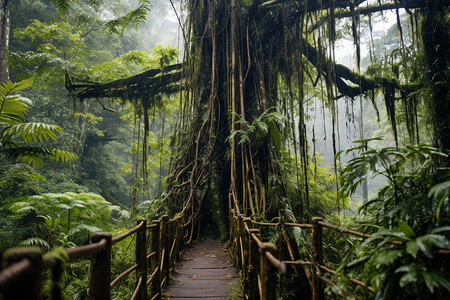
<point>205,272</point>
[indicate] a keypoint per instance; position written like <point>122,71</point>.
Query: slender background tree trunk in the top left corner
<point>5,22</point>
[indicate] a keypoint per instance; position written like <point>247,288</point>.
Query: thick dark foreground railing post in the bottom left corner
<point>28,286</point>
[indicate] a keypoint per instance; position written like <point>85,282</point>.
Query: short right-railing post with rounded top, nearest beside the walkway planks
<point>268,273</point>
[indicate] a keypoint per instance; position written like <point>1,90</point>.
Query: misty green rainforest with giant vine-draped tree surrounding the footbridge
<point>114,110</point>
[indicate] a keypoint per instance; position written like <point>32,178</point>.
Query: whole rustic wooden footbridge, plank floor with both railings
<point>161,244</point>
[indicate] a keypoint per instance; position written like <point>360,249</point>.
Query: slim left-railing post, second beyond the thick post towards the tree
<point>155,246</point>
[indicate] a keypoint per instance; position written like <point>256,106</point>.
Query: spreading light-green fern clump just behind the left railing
<point>66,219</point>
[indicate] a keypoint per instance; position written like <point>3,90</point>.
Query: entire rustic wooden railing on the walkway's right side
<point>260,266</point>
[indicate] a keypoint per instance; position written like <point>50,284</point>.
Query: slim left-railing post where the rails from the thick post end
<point>141,259</point>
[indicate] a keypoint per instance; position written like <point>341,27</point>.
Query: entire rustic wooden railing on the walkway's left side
<point>21,275</point>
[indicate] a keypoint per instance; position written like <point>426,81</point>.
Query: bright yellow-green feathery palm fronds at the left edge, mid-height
<point>25,141</point>
